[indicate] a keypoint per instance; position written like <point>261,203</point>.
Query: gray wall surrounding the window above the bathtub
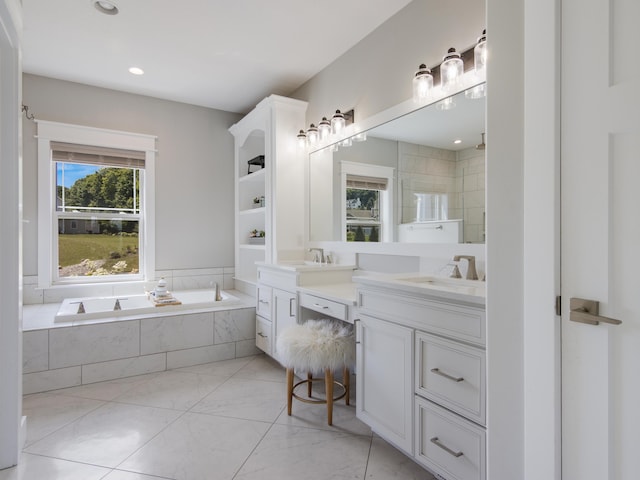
<point>194,166</point>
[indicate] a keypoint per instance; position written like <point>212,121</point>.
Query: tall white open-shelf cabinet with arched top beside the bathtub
<point>268,167</point>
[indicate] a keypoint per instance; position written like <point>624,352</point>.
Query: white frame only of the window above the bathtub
<point>47,219</point>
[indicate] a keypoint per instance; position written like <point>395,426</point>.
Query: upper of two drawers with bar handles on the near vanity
<point>452,375</point>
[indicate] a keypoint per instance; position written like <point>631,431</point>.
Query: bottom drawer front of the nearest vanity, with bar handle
<point>448,444</point>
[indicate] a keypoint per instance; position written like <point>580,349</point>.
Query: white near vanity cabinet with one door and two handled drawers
<point>421,382</point>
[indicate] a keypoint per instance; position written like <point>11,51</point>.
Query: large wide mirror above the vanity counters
<point>407,181</point>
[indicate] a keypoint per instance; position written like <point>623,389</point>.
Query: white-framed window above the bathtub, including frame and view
<point>100,208</point>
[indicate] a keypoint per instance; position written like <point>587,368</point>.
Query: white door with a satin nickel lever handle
<point>600,250</point>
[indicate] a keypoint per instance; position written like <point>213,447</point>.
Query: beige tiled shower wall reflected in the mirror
<point>423,169</point>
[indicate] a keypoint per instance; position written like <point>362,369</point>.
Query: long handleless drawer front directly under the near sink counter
<point>452,320</point>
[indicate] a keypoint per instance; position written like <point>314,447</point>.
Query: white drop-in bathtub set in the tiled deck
<point>105,307</point>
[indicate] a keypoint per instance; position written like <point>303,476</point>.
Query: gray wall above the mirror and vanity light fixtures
<point>376,74</point>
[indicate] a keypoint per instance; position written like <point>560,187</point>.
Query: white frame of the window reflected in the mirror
<point>386,210</point>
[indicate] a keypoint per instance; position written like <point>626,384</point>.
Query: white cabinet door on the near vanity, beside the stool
<point>384,380</point>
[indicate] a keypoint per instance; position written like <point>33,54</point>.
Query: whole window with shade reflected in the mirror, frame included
<point>367,193</point>
